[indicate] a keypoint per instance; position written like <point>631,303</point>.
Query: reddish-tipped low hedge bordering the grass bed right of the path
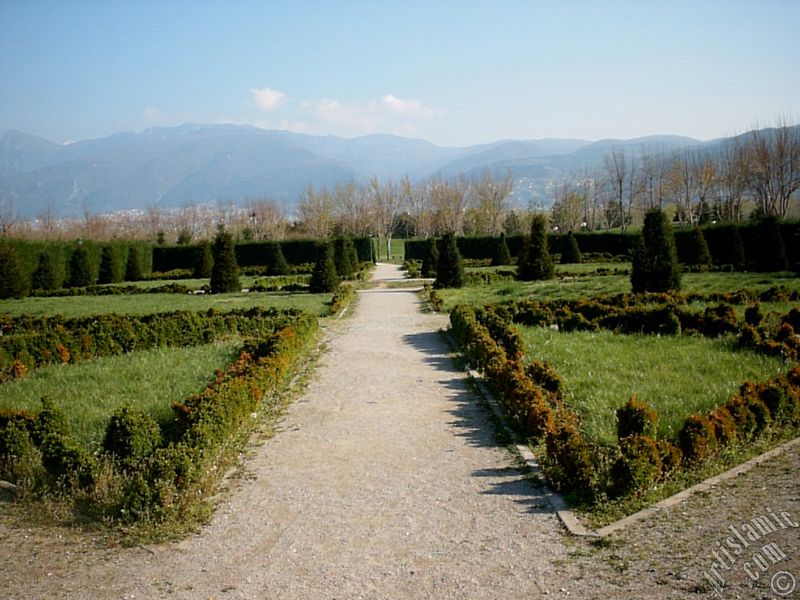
<point>532,397</point>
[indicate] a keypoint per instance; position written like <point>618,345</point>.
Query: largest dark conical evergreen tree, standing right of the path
<point>655,261</point>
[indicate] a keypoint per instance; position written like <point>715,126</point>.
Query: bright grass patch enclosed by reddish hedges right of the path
<point>675,375</point>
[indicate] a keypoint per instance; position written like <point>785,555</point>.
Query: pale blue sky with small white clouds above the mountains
<point>455,73</point>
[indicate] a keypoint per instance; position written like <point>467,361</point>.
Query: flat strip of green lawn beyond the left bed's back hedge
<point>143,304</point>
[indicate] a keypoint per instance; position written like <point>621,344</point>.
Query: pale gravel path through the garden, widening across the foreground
<point>386,481</point>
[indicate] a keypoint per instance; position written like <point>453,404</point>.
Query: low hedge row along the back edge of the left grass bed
<point>29,342</point>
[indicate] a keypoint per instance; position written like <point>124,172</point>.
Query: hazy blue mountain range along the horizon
<point>174,166</point>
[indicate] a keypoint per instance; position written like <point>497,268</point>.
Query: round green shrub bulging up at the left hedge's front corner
<point>131,436</point>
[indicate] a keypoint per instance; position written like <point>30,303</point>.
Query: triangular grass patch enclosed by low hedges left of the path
<point>89,392</point>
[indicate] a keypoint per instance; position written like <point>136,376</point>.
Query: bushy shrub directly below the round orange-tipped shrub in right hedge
<point>637,467</point>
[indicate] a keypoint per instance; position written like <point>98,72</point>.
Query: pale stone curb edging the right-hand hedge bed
<point>570,519</point>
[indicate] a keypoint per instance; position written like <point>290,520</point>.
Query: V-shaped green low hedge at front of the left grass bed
<point>144,474</point>
